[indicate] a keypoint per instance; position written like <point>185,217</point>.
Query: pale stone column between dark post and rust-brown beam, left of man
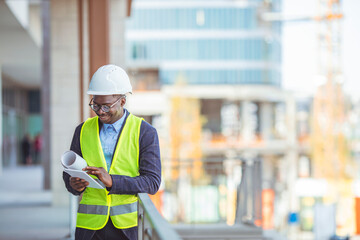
<point>65,100</point>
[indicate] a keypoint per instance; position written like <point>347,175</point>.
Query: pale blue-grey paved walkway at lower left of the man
<point>25,209</point>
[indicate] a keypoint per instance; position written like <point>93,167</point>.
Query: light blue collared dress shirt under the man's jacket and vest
<point>108,137</point>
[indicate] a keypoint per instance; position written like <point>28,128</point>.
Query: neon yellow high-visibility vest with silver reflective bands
<point>96,205</point>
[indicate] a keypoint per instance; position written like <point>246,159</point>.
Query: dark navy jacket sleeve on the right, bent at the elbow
<point>149,166</point>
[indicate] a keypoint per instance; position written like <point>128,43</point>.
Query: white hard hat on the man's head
<point>108,80</point>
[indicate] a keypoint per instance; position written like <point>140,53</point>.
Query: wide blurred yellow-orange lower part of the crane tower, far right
<point>330,150</point>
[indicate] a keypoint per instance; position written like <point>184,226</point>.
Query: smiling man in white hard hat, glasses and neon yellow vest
<point>120,149</point>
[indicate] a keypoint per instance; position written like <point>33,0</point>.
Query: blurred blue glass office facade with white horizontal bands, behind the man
<point>206,42</point>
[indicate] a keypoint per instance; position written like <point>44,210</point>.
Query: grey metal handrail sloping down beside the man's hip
<point>152,226</point>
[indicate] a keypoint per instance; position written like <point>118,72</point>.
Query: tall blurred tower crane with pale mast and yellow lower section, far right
<point>330,151</point>
